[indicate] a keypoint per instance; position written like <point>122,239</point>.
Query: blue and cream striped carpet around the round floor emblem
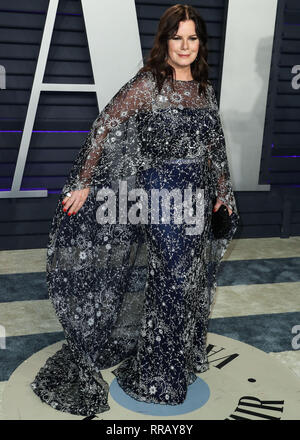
<point>257,303</point>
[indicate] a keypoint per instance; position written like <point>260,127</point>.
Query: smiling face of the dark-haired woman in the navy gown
<point>184,42</point>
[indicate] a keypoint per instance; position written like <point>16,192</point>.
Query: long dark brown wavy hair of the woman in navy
<point>167,28</point>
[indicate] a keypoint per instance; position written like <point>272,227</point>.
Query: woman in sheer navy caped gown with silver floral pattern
<point>139,293</point>
